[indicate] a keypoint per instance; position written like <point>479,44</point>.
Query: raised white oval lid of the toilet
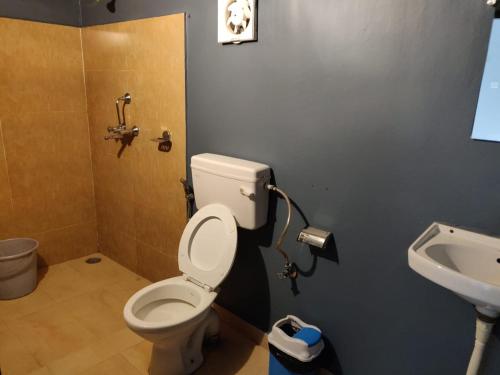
<point>208,245</point>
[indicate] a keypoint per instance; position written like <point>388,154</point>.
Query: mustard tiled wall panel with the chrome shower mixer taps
<point>139,199</point>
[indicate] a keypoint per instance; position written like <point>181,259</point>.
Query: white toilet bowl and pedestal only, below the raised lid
<point>174,315</point>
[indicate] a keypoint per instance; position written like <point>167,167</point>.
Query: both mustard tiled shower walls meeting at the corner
<point>49,98</point>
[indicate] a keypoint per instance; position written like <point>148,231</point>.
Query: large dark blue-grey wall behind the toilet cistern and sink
<point>364,110</point>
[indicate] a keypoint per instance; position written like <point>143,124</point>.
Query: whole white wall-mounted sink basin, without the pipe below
<point>462,261</point>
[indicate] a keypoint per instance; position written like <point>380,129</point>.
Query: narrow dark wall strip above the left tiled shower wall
<point>65,12</point>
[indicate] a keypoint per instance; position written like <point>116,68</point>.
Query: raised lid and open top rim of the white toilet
<point>206,254</point>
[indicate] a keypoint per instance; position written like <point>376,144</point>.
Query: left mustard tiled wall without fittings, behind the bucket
<point>45,167</point>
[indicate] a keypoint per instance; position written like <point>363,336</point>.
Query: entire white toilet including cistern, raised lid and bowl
<point>176,314</point>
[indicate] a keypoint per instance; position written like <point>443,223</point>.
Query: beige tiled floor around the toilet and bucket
<point>72,324</point>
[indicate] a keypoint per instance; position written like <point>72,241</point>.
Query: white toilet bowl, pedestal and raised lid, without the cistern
<point>175,314</point>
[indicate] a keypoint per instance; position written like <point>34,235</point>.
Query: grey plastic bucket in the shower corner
<point>18,267</point>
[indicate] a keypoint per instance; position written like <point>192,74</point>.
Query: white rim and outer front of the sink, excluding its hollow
<point>483,294</point>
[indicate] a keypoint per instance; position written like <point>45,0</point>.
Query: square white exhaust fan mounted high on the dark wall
<point>237,21</point>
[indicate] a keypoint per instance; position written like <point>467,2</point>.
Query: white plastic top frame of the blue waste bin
<point>294,347</point>
